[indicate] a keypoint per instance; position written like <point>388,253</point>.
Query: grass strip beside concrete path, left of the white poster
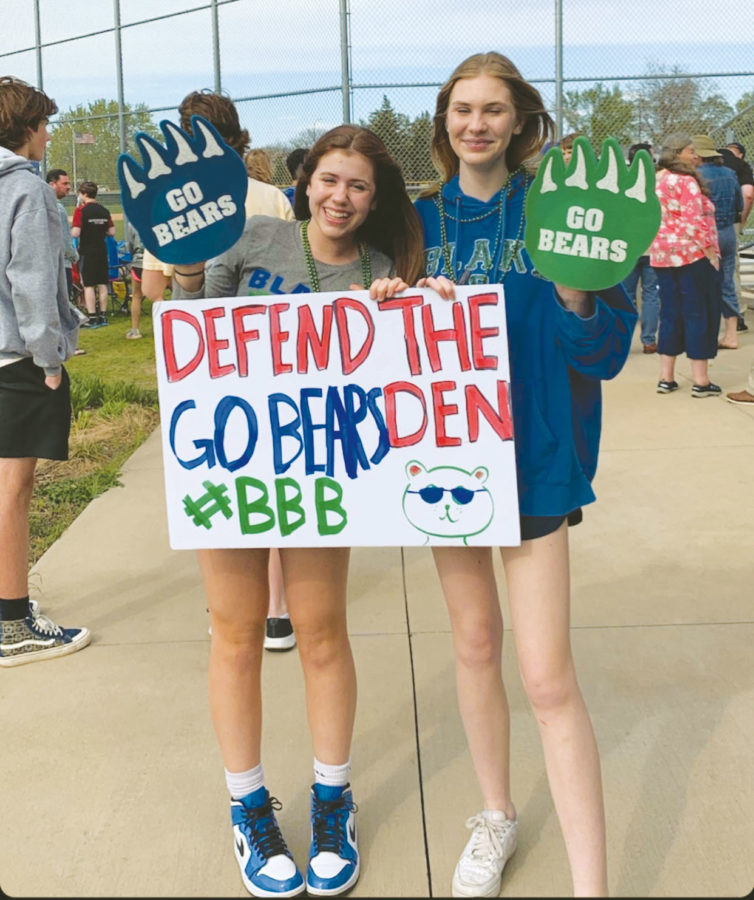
<point>114,400</point>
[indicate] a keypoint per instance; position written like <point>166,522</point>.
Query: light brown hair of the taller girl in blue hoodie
<point>538,126</point>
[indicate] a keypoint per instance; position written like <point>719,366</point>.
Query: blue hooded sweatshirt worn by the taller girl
<point>557,358</point>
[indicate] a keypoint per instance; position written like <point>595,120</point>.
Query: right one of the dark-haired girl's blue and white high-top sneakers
<point>334,854</point>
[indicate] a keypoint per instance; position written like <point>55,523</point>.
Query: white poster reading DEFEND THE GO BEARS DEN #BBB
<point>327,419</point>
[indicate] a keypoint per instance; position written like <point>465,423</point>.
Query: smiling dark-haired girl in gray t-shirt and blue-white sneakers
<point>358,224</point>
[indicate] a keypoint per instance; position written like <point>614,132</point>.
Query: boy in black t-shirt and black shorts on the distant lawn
<point>92,223</point>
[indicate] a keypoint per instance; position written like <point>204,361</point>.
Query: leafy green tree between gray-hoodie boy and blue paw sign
<point>97,161</point>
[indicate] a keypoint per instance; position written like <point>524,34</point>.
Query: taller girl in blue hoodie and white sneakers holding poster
<point>562,341</point>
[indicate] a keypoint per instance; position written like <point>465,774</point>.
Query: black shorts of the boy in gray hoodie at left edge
<point>34,419</point>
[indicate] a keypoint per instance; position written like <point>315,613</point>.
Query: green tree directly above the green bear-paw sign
<point>599,112</point>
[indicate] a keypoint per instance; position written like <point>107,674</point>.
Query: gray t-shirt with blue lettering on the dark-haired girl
<point>268,258</point>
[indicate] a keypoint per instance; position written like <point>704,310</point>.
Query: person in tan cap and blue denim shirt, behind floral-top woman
<point>725,193</point>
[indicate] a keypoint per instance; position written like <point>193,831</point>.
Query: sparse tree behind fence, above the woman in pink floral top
<point>672,101</point>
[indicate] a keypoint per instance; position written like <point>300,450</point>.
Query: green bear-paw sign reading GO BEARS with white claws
<point>589,222</point>
